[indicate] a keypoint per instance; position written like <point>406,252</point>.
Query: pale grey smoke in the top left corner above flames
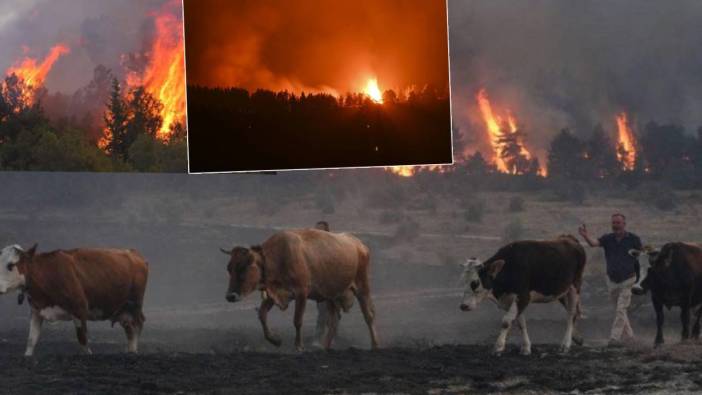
<point>97,32</point>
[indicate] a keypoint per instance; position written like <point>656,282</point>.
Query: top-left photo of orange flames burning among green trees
<point>92,85</point>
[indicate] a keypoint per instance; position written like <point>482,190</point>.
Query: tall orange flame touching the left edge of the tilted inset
<point>164,76</point>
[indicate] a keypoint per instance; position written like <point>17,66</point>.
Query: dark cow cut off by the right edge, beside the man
<point>674,277</point>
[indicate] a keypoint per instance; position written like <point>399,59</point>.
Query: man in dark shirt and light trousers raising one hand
<point>622,272</point>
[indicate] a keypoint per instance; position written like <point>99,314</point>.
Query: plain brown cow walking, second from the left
<point>303,264</point>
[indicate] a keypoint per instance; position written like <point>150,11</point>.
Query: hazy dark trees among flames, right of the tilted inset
<point>663,152</point>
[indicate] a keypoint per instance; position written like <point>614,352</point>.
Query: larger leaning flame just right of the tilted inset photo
<point>504,136</point>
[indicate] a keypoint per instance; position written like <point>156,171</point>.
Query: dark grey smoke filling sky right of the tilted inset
<point>559,64</point>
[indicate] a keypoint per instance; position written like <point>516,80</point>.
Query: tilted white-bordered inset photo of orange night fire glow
<point>310,84</point>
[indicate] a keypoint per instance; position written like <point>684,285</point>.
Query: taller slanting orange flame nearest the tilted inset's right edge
<point>495,126</point>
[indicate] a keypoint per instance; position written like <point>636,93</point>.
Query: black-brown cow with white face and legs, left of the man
<point>524,272</point>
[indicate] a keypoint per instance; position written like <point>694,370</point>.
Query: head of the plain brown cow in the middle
<point>245,269</point>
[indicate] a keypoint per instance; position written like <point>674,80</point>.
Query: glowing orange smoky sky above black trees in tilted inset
<point>316,44</point>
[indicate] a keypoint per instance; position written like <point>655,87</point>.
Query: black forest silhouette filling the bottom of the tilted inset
<point>234,129</point>
